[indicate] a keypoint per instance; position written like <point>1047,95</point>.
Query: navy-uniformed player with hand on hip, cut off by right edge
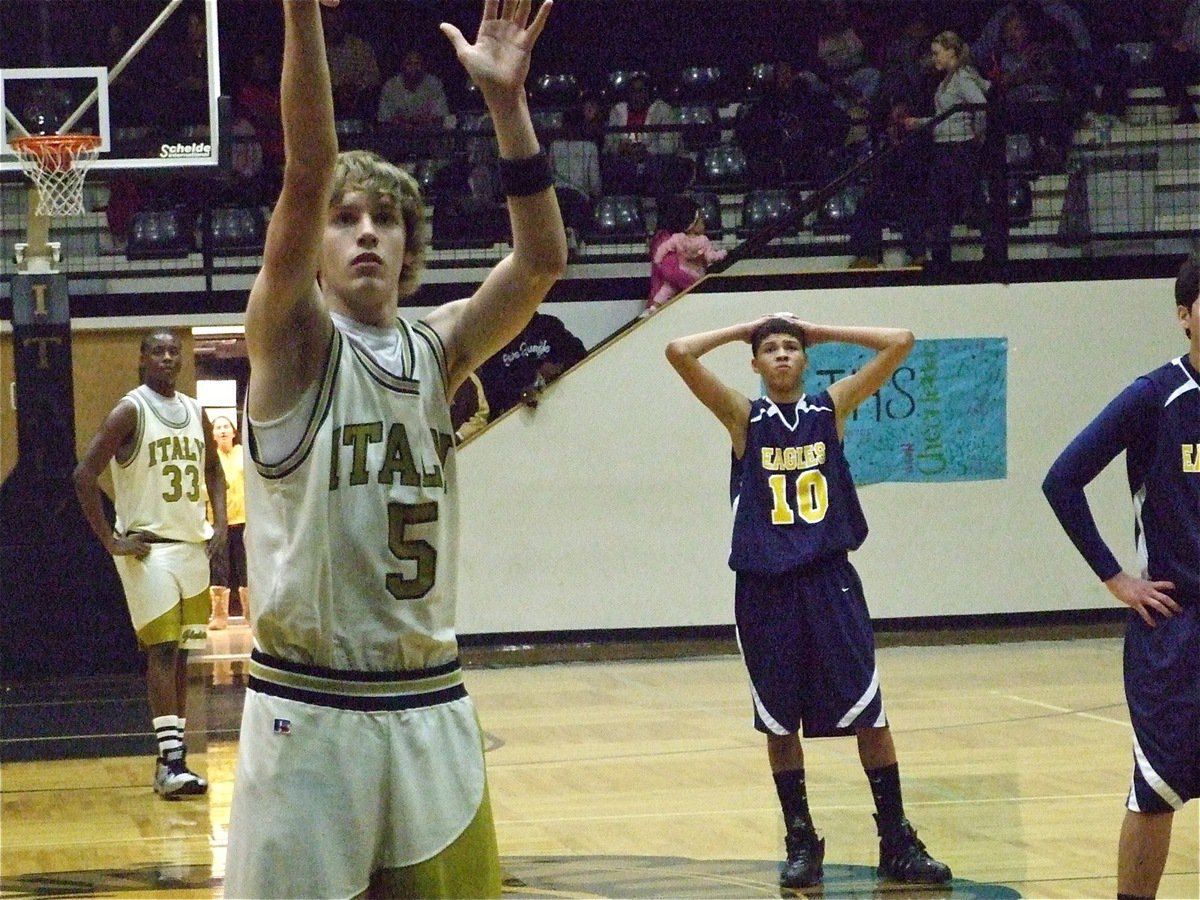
<point>1156,423</point>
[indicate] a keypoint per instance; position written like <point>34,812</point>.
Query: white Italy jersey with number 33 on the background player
<point>160,489</point>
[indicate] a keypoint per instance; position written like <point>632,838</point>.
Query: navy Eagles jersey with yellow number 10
<point>794,497</point>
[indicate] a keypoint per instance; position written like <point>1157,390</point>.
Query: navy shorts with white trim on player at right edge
<point>1162,680</point>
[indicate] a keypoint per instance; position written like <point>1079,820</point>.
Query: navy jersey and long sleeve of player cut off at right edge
<point>1156,422</point>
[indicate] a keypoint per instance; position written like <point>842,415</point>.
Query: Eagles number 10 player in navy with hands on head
<point>802,620</point>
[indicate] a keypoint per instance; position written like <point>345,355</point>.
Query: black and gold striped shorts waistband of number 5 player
<point>364,692</point>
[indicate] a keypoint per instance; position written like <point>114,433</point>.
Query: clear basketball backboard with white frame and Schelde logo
<point>143,75</point>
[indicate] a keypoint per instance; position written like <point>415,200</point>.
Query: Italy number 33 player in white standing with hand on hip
<point>159,447</point>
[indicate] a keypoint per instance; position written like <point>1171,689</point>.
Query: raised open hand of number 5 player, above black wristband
<point>499,62</point>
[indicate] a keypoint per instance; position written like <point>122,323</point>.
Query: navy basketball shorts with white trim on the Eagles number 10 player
<point>809,650</point>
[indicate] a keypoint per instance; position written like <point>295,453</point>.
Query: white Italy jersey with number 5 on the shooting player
<point>352,538</point>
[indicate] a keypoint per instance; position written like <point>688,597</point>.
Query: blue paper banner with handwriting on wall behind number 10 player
<point>943,417</point>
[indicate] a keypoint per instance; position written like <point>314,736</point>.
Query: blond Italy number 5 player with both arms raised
<point>361,765</point>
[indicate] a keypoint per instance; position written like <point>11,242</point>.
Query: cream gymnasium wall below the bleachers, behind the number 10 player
<point>608,507</point>
